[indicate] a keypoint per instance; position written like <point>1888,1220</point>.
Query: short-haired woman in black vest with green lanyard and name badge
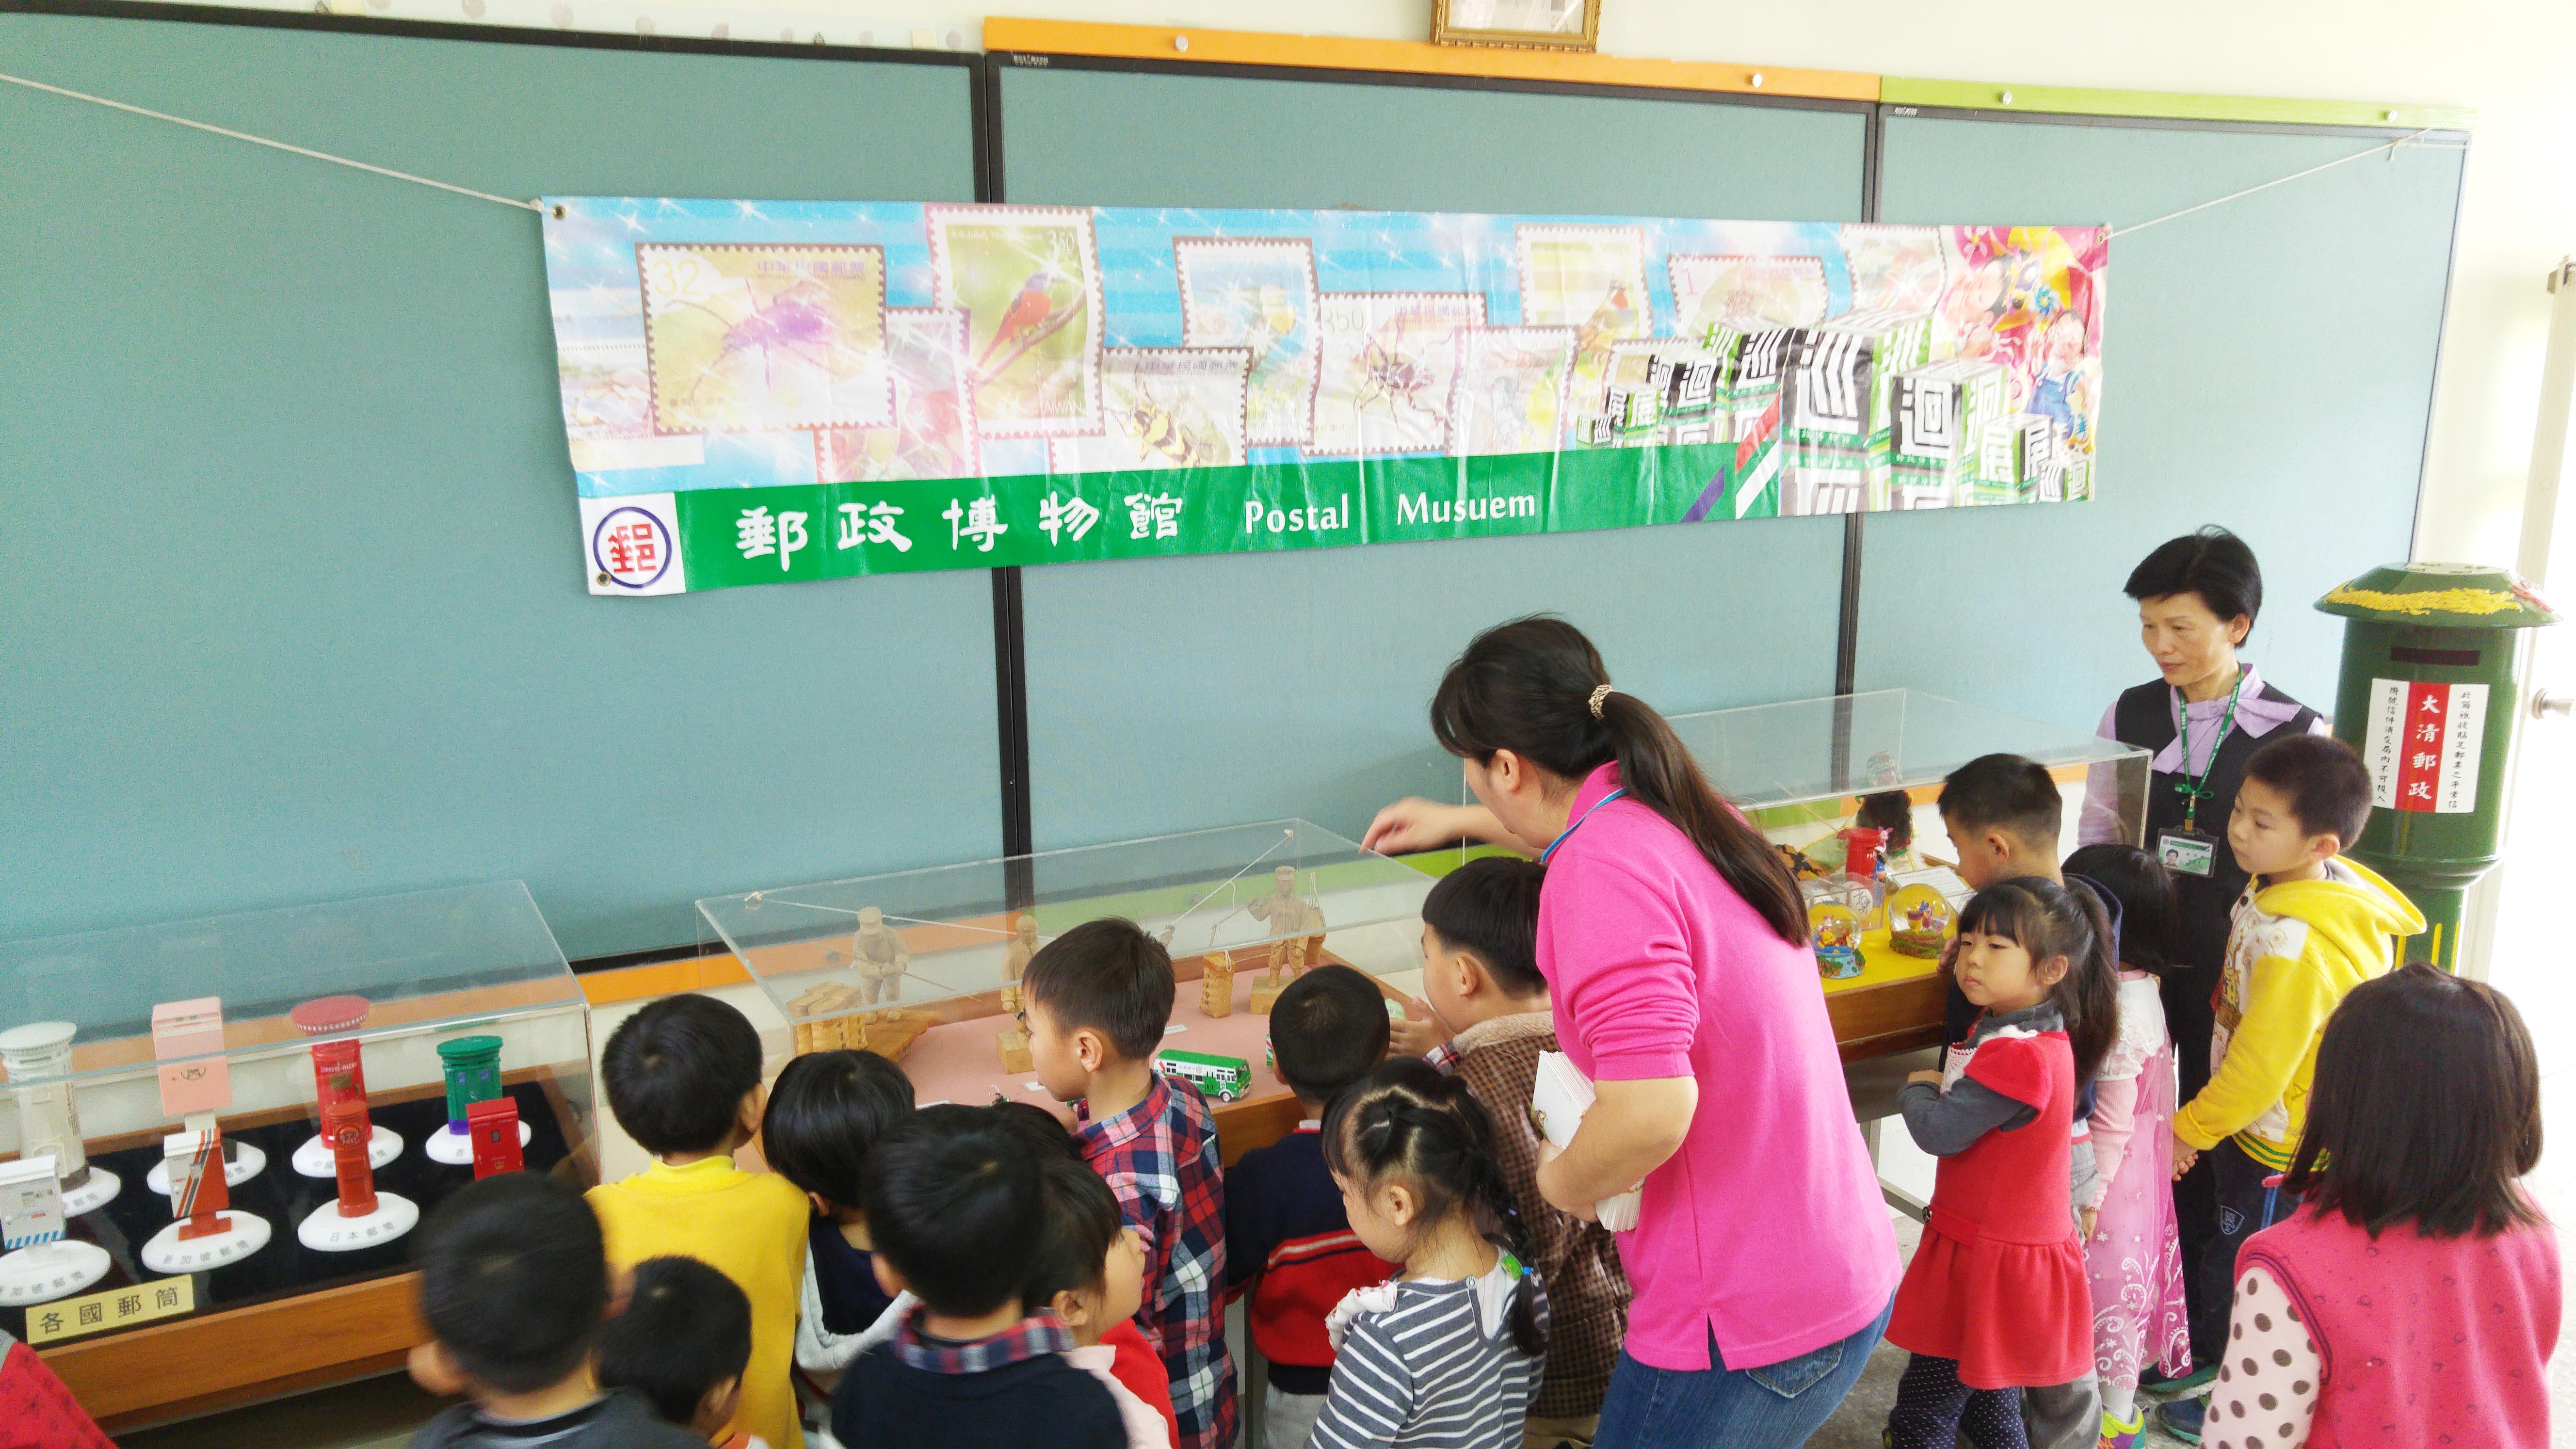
<point>2201,718</point>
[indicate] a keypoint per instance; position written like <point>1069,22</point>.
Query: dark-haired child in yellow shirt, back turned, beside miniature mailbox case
<point>684,1082</point>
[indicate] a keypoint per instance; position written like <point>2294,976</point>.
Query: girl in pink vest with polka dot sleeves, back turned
<point>2415,1293</point>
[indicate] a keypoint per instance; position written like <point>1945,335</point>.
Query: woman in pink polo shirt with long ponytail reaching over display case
<point>1676,953</point>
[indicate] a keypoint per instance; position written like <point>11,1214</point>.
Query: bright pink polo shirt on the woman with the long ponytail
<point>1766,1231</point>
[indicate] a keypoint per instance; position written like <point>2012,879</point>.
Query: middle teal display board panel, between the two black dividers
<point>1181,695</point>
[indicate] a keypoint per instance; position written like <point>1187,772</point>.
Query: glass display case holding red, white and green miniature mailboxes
<point>241,1110</point>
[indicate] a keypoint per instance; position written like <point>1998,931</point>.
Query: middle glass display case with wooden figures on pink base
<point>926,966</point>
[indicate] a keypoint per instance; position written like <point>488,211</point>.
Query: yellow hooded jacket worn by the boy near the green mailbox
<point>2294,953</point>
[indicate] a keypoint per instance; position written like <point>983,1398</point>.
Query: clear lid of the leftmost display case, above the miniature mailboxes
<point>411,963</point>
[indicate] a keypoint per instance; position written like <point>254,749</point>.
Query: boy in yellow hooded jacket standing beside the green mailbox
<point>2309,929</point>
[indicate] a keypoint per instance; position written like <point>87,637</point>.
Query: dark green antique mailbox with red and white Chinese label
<point>2436,664</point>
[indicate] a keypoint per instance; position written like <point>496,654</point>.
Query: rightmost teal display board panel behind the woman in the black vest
<point>2271,370</point>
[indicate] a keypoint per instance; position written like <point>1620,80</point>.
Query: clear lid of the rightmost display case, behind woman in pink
<point>1856,744</point>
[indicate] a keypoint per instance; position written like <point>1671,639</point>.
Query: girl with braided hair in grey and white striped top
<point>1452,1350</point>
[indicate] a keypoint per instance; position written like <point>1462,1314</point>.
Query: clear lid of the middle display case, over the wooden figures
<point>954,927</point>
